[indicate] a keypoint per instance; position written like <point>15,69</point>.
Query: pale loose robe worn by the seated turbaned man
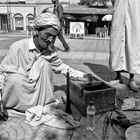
<point>29,79</point>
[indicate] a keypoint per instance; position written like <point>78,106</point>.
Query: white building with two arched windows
<point>16,14</point>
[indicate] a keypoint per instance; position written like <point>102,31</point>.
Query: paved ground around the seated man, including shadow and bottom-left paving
<point>89,55</point>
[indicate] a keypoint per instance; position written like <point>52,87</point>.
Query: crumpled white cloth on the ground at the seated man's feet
<point>50,115</point>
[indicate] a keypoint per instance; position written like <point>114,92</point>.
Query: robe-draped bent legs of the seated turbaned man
<point>20,93</point>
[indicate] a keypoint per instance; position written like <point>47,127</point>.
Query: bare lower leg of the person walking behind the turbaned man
<point>62,39</point>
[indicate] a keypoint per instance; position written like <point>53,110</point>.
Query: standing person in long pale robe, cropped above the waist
<point>125,42</point>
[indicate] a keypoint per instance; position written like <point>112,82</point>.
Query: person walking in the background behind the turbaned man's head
<point>58,10</point>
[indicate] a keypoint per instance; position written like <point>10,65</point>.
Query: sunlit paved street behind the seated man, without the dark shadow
<point>88,50</point>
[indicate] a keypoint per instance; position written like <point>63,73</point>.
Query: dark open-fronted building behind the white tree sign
<point>91,16</point>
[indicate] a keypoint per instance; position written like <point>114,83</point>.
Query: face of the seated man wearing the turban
<point>45,38</point>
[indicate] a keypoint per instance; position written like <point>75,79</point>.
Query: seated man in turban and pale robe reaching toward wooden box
<point>27,68</point>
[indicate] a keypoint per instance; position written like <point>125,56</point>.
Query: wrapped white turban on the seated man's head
<point>47,20</point>
